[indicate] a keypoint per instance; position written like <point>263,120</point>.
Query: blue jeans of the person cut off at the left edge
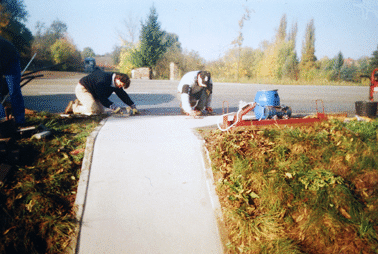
<point>13,79</point>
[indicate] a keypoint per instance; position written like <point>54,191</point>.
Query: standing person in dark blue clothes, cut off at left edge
<point>10,78</point>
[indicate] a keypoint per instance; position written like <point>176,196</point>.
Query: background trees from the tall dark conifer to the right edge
<point>274,61</point>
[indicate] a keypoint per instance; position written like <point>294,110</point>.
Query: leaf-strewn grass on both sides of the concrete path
<point>306,189</point>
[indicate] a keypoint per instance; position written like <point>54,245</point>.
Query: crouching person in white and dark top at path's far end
<point>196,88</point>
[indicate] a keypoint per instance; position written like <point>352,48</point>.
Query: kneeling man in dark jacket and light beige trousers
<point>94,90</point>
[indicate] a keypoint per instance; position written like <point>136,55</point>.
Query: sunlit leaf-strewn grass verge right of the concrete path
<point>304,189</point>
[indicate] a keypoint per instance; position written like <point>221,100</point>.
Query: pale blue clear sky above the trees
<point>209,26</point>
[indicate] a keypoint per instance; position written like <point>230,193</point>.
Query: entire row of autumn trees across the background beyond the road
<point>273,61</point>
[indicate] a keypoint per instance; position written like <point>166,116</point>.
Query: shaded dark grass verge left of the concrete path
<point>37,213</point>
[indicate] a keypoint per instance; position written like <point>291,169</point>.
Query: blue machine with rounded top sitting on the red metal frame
<point>268,105</point>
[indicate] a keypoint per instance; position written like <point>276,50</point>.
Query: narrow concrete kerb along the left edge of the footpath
<point>82,188</point>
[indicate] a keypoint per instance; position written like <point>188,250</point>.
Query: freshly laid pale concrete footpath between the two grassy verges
<point>144,188</point>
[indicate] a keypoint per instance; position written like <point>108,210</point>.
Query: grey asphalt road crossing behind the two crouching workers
<point>160,96</point>
